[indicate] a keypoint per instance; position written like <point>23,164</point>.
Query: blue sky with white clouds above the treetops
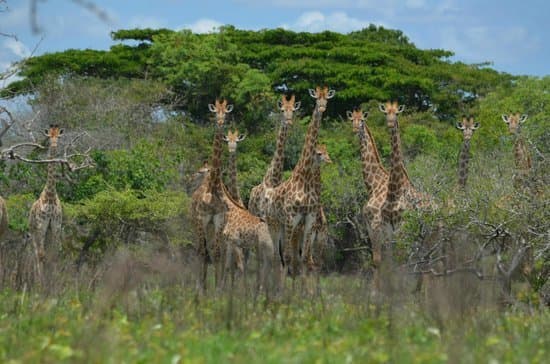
<point>511,34</point>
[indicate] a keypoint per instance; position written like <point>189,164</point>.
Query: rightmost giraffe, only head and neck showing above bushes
<point>522,156</point>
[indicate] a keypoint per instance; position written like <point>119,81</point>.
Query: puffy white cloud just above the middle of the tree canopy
<point>316,21</point>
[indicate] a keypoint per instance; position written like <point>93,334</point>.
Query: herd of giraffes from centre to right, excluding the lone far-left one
<point>285,222</point>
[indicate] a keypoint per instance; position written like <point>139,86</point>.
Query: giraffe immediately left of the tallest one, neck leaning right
<point>274,174</point>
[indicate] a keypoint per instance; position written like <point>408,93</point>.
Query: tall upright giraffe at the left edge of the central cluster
<point>208,207</point>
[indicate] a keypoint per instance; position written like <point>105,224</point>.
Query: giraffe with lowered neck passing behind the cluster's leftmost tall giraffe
<point>243,232</point>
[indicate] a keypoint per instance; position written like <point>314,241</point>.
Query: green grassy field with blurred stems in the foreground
<point>154,321</point>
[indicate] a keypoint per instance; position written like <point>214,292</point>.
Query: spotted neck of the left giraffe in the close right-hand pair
<point>374,172</point>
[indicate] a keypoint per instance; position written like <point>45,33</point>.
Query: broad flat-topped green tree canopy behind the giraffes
<point>249,67</point>
